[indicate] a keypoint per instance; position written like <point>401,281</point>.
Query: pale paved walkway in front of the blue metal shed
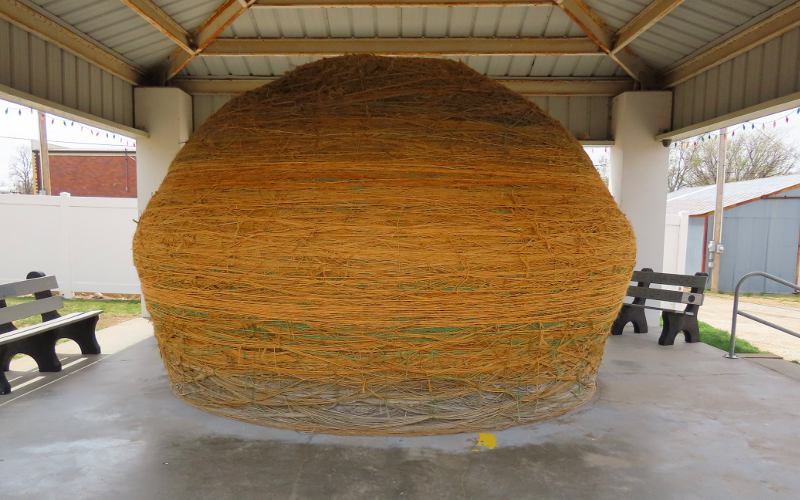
<point>717,310</point>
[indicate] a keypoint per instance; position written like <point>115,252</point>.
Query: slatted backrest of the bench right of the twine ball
<point>644,278</point>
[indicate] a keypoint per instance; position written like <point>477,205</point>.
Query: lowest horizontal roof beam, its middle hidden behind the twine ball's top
<point>524,86</point>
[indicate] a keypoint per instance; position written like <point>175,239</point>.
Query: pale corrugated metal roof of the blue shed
<point>701,200</point>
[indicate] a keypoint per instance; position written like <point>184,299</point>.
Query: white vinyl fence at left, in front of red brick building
<point>84,242</point>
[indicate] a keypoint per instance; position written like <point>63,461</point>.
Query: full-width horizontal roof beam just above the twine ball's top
<point>401,46</point>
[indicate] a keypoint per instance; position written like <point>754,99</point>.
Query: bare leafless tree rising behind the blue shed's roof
<point>751,155</point>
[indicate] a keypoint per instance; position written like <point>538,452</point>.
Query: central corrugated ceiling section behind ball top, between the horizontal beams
<point>434,22</point>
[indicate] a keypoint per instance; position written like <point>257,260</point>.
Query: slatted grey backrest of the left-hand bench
<point>46,303</point>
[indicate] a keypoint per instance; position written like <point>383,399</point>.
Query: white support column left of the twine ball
<point>166,114</point>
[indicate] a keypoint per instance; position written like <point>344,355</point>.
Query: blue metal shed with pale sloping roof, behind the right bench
<point>760,230</point>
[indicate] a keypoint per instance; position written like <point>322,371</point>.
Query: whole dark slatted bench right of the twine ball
<point>674,321</point>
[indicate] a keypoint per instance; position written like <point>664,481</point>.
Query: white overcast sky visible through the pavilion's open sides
<point>18,125</point>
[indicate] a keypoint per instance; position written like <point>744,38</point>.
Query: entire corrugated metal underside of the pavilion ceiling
<point>689,28</point>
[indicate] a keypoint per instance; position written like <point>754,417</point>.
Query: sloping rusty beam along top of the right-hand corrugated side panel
<point>768,28</point>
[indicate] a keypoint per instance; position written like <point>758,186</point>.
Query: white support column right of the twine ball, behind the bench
<point>638,177</point>
